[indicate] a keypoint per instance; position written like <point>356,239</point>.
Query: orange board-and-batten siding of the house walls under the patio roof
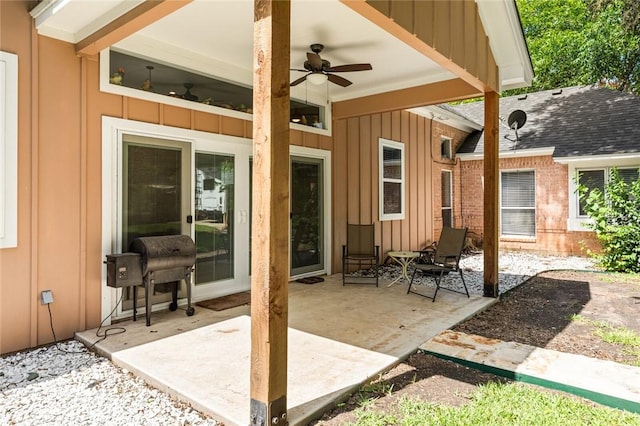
<point>60,179</point>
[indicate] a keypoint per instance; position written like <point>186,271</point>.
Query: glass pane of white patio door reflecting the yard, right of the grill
<point>214,224</point>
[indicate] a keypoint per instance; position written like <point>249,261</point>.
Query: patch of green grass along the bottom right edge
<point>498,404</point>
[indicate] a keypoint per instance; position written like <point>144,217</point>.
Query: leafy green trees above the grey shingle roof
<point>576,42</point>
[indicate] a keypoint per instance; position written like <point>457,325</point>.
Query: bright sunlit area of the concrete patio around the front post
<point>217,381</point>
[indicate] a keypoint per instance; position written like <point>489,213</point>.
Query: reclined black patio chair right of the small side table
<point>445,259</point>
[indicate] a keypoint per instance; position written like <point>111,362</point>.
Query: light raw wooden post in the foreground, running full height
<point>270,213</point>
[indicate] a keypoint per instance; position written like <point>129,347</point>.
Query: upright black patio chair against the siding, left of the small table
<point>360,250</point>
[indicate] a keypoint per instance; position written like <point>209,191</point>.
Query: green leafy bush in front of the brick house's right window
<point>615,218</point>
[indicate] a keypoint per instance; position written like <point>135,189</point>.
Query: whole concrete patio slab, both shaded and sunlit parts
<point>339,338</point>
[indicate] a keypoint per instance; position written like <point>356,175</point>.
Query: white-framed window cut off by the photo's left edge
<point>8,150</point>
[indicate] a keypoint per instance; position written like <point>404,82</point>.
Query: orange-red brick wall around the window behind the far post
<point>552,207</point>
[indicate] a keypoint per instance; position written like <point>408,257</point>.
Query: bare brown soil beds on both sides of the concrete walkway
<point>559,310</point>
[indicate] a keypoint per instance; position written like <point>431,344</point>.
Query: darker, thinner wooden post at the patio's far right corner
<point>491,179</point>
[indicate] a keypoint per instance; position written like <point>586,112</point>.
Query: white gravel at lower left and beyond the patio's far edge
<point>66,384</point>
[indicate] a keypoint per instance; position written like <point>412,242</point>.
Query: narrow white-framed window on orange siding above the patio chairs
<point>391,180</point>
